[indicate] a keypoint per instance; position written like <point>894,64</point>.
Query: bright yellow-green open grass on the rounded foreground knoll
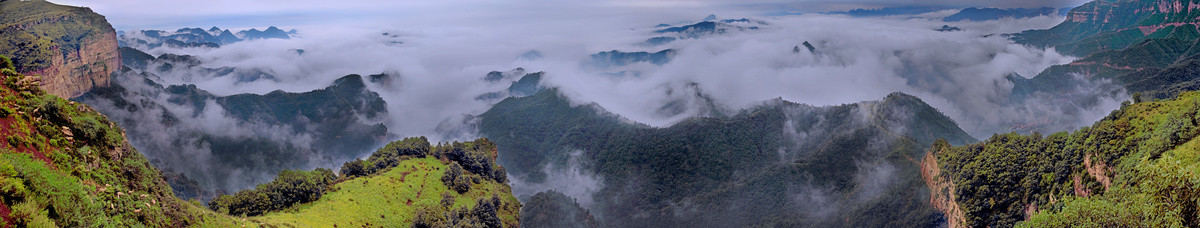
<point>416,184</point>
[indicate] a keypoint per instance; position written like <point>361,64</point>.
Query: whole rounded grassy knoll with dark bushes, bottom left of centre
<point>406,184</point>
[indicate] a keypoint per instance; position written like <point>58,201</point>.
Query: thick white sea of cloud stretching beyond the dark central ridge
<point>436,70</point>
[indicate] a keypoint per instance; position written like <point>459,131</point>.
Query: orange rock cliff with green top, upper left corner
<point>73,49</point>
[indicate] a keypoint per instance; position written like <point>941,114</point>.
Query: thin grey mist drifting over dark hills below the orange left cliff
<point>179,137</point>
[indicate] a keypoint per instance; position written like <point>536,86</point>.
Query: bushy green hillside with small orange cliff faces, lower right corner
<point>1135,169</point>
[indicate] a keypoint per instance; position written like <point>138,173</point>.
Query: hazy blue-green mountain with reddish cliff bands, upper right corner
<point>1147,47</point>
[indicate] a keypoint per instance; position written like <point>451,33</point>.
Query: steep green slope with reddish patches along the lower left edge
<point>65,165</point>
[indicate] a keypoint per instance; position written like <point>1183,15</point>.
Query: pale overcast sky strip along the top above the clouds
<point>127,15</point>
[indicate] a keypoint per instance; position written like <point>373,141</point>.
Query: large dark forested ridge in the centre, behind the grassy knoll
<point>779,165</point>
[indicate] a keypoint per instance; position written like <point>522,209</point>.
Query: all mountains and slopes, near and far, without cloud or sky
<point>97,137</point>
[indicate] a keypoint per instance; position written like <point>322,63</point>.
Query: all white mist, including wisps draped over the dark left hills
<point>435,77</point>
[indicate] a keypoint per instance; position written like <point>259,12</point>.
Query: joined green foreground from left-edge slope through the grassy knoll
<point>64,165</point>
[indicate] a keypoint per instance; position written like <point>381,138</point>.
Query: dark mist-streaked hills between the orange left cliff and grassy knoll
<point>334,117</point>
